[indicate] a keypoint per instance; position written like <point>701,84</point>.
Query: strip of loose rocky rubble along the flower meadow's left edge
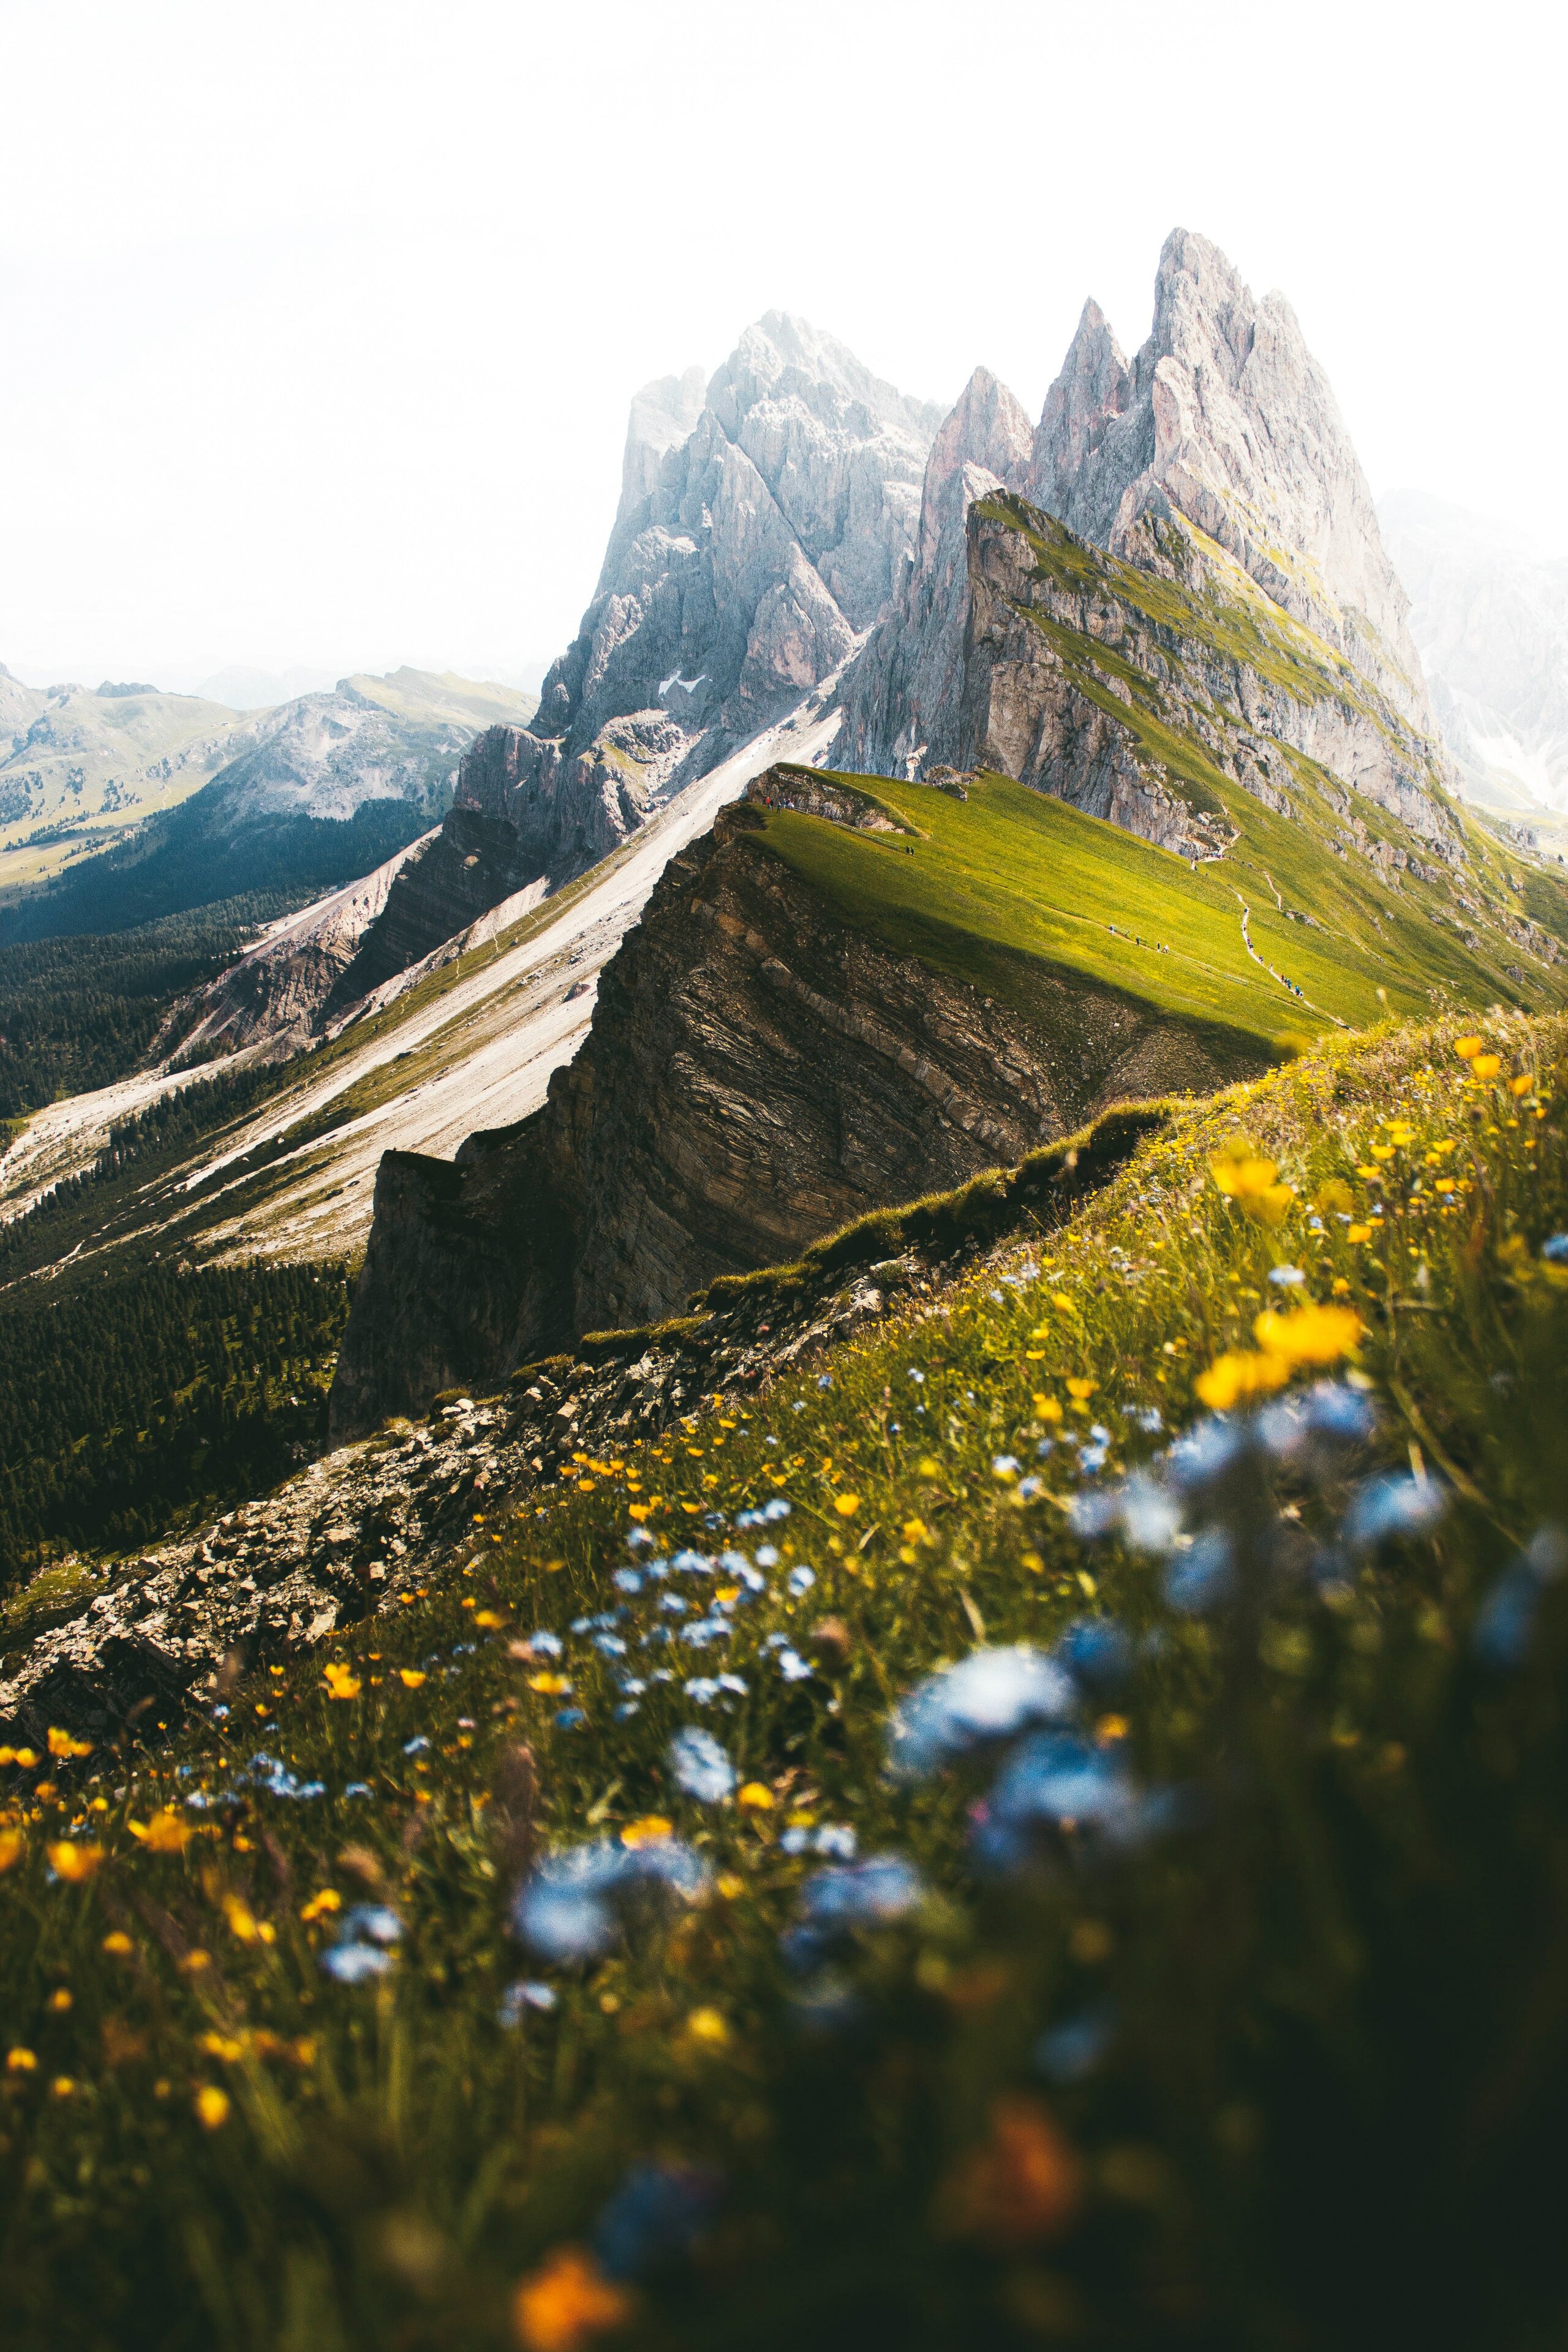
<point>377,1523</point>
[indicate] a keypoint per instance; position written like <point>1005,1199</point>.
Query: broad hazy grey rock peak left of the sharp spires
<point>760,533</point>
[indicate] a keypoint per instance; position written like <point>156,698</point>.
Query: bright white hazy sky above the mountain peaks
<point>321,321</point>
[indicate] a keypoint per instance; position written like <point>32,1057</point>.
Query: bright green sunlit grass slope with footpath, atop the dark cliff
<point>1007,881</point>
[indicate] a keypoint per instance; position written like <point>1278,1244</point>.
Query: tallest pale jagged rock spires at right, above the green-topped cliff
<point>1228,420</point>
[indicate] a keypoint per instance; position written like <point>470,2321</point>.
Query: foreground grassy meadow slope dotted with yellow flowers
<point>1332,2106</point>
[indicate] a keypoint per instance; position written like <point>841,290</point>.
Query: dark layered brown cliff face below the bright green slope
<point>756,1076</point>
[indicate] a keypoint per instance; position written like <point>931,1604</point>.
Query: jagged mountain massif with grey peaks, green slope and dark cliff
<point>601,1036</point>
